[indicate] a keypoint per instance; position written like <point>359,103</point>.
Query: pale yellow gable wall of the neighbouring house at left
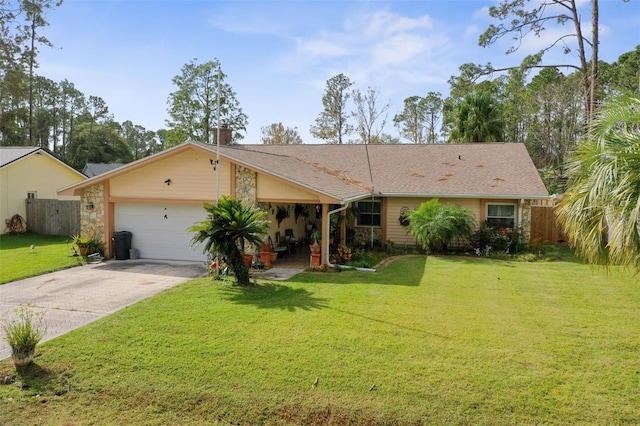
<point>38,173</point>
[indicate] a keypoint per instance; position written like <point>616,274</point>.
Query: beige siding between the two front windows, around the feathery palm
<point>399,234</point>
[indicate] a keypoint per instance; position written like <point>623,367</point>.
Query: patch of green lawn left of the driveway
<point>18,261</point>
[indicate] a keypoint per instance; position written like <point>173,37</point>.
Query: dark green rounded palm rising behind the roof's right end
<point>477,118</point>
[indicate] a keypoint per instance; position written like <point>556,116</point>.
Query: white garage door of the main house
<point>160,230</point>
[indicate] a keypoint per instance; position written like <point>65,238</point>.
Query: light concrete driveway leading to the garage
<point>74,297</point>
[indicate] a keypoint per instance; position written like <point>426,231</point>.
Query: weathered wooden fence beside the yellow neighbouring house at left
<point>53,217</point>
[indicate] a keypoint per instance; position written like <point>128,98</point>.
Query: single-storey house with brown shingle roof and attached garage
<point>159,197</point>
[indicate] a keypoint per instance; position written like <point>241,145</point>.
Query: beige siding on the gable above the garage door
<point>191,173</point>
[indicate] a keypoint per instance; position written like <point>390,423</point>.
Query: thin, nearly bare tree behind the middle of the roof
<point>367,113</point>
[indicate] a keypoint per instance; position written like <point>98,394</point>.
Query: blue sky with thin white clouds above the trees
<point>278,55</point>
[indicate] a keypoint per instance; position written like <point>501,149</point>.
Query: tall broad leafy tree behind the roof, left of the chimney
<point>194,109</point>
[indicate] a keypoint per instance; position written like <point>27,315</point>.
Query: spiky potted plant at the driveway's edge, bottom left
<point>23,333</point>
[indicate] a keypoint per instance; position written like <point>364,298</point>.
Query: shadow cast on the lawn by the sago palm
<point>275,296</point>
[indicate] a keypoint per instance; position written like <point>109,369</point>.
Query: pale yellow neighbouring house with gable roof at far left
<point>31,172</point>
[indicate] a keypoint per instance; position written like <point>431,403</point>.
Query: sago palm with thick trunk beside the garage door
<point>229,225</point>
